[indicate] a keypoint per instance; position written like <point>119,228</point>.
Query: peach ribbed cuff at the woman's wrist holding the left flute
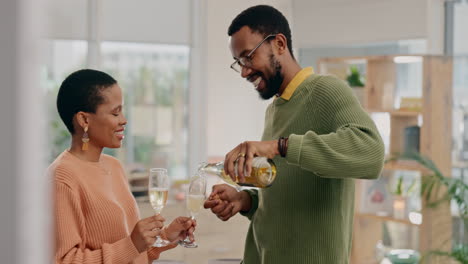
<point>123,251</point>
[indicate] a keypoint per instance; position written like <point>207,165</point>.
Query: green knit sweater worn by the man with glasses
<point>306,216</point>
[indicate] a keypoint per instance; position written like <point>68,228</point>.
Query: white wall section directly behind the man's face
<point>234,111</point>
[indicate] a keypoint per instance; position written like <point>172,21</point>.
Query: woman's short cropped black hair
<point>81,91</point>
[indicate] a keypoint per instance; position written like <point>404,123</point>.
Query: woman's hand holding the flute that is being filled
<point>180,228</point>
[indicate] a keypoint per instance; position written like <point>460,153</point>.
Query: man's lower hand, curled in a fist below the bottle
<point>225,201</point>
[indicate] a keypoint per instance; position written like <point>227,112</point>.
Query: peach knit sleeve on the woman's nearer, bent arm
<point>70,247</point>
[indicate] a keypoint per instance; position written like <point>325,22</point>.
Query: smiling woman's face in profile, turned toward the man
<point>107,125</point>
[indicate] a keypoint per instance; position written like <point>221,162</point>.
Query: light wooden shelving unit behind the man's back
<point>385,76</point>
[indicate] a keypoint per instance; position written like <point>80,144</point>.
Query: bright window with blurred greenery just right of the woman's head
<point>154,80</point>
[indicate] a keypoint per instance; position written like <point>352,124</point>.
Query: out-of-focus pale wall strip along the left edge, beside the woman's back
<point>24,189</point>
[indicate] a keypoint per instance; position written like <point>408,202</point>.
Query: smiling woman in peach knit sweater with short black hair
<point>97,220</point>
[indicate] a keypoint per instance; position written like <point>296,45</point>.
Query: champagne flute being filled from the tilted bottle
<point>194,201</point>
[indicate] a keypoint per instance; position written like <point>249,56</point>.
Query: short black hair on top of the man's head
<point>263,19</point>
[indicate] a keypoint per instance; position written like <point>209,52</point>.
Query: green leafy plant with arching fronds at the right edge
<point>453,189</point>
